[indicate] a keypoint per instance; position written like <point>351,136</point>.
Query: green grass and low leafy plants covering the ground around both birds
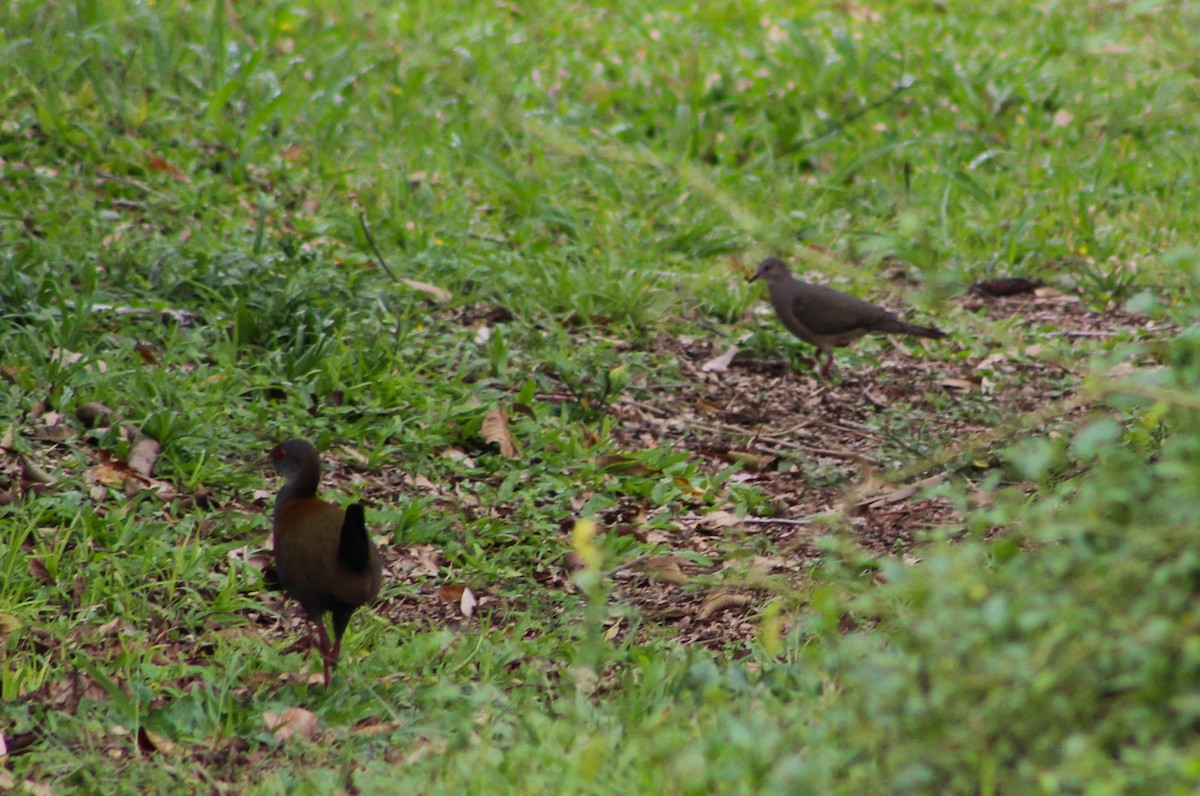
<point>607,176</point>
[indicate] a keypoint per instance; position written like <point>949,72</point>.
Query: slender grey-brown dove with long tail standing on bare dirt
<point>825,318</point>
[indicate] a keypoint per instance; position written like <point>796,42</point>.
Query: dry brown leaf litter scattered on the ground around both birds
<point>813,450</point>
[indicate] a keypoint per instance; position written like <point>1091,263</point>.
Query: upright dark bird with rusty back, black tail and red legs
<point>326,560</point>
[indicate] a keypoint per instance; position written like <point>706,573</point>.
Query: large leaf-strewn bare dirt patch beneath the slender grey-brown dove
<point>862,448</point>
